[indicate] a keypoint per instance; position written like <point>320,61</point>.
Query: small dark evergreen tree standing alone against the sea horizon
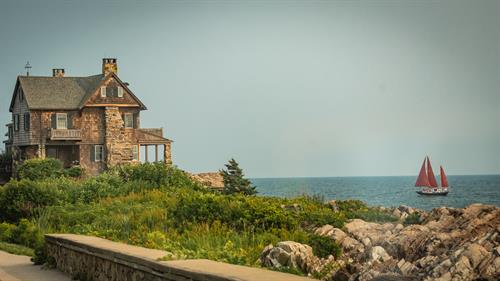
<point>234,182</point>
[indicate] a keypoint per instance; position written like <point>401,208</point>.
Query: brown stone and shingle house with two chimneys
<point>91,121</point>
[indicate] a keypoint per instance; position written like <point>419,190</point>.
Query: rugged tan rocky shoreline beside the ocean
<point>444,244</point>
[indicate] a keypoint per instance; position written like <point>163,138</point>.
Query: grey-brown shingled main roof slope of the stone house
<point>65,93</point>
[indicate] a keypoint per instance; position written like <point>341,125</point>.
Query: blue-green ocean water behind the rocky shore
<point>386,191</point>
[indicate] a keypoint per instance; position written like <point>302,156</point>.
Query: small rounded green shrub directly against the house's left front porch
<point>37,169</point>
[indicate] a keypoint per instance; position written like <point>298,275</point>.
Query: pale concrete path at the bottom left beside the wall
<point>20,268</point>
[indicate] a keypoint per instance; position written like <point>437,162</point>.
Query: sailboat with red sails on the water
<point>427,180</point>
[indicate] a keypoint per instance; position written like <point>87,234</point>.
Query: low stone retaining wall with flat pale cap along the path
<point>92,258</point>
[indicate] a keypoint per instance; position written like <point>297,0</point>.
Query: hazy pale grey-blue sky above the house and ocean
<point>288,88</point>
